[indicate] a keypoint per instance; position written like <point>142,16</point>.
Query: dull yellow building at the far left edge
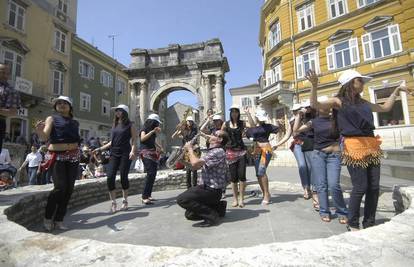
<point>35,41</point>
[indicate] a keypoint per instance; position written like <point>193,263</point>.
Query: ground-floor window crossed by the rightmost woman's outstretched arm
<point>394,116</point>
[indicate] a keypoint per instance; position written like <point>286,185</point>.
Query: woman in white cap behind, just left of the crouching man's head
<point>187,133</point>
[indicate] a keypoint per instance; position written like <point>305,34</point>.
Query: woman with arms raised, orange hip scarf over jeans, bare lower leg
<point>260,133</point>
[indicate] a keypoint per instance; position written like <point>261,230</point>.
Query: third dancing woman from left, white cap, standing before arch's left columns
<point>150,151</point>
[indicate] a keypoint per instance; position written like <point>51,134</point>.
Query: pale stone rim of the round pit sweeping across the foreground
<point>388,244</point>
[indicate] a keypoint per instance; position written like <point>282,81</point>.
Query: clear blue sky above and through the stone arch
<point>157,23</point>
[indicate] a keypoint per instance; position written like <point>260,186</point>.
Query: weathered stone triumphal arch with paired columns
<point>198,68</point>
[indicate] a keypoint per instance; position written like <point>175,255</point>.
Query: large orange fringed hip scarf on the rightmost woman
<point>361,151</point>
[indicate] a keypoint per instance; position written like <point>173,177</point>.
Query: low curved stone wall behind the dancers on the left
<point>29,204</point>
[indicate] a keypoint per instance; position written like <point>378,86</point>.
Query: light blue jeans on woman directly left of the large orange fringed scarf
<point>326,169</point>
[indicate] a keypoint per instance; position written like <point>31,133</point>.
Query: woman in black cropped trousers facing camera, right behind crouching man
<point>236,155</point>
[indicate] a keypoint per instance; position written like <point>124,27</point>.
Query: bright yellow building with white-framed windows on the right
<point>374,37</point>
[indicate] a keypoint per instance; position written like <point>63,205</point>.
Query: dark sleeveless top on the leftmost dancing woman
<point>65,130</point>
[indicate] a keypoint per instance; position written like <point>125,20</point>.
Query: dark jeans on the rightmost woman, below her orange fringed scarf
<point>365,181</point>
